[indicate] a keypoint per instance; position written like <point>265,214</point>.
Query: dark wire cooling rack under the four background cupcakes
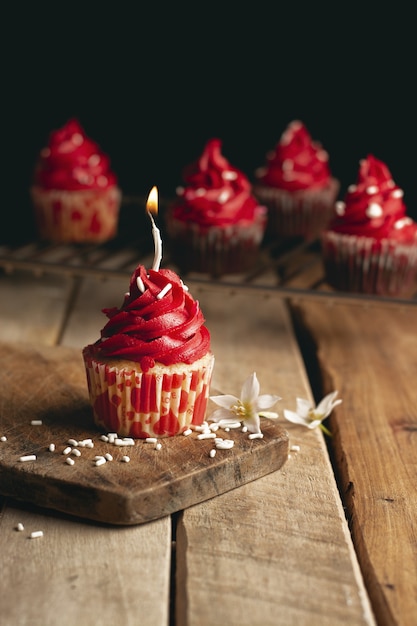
<point>286,269</point>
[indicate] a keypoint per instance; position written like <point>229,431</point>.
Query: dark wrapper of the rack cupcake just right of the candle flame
<point>216,250</point>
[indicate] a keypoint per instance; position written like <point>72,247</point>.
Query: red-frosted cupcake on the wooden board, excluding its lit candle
<point>149,373</point>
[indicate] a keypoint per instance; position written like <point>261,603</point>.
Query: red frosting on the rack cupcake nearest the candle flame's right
<point>215,192</point>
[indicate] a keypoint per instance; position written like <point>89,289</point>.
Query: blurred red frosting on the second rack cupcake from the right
<point>296,163</point>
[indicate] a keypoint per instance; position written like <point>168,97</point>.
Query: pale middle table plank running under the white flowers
<point>278,550</point>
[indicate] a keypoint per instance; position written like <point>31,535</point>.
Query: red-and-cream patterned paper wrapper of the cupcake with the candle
<point>136,404</point>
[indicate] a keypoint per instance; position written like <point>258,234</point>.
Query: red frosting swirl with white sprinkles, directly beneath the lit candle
<point>149,327</point>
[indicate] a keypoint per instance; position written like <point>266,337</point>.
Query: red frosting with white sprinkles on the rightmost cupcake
<point>374,206</point>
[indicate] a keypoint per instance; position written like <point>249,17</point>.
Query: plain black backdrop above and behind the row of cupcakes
<point>152,84</point>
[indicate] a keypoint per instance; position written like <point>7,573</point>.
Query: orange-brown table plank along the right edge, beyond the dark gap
<point>370,355</point>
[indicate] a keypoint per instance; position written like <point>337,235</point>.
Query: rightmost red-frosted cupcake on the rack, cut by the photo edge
<point>371,245</point>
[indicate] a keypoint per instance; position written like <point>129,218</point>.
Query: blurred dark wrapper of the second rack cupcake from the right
<point>298,214</point>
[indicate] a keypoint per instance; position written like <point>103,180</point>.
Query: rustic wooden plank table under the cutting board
<point>288,548</point>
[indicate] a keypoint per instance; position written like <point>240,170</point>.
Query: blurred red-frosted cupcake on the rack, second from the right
<point>296,185</point>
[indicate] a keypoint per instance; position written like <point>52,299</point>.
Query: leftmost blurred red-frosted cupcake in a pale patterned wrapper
<point>75,193</point>
